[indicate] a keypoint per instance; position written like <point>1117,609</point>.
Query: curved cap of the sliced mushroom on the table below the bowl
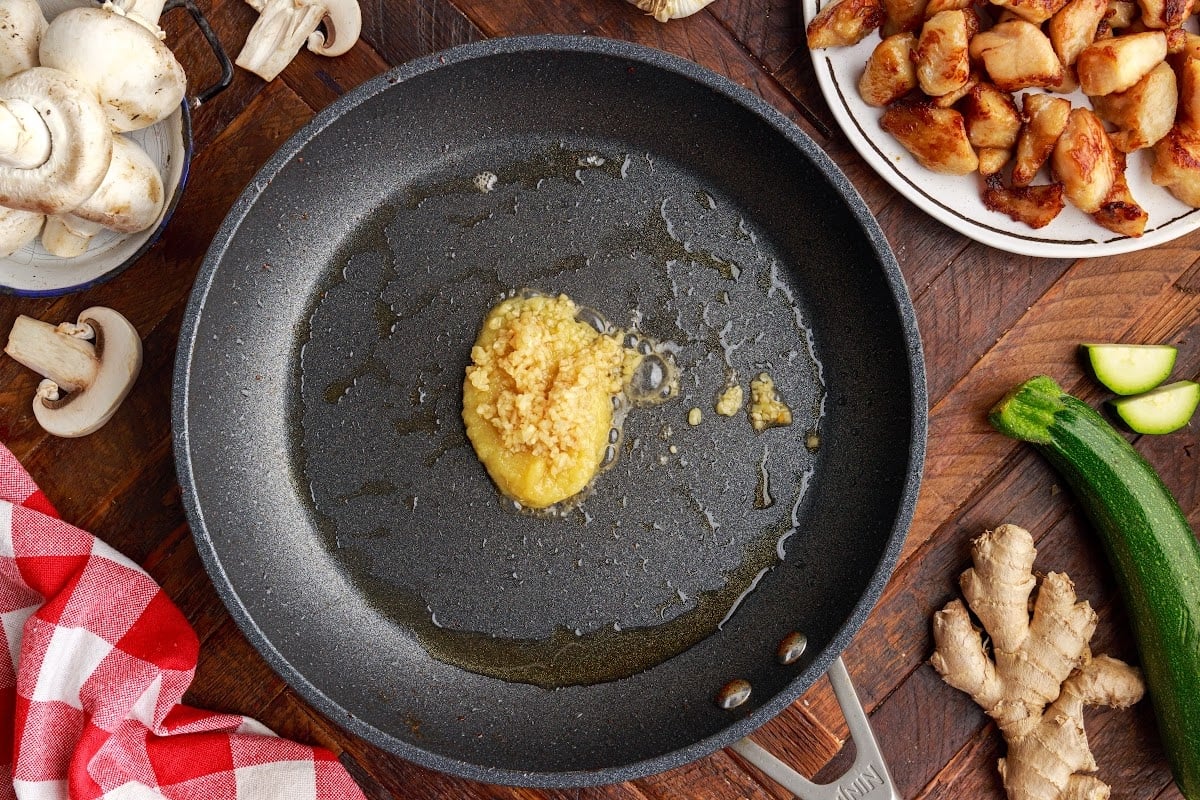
<point>119,351</point>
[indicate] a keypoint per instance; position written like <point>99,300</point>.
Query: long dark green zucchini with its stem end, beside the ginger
<point>1153,550</point>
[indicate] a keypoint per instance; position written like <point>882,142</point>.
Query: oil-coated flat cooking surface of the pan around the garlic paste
<point>688,521</point>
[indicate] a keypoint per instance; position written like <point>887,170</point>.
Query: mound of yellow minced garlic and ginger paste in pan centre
<point>538,400</point>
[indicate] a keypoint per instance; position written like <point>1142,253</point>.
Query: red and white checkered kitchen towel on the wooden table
<point>100,659</point>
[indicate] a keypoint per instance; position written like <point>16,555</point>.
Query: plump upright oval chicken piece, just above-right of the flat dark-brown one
<point>1084,161</point>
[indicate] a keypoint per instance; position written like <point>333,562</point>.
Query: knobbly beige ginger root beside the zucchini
<point>1042,672</point>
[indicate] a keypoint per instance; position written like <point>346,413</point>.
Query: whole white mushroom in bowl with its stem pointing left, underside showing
<point>55,142</point>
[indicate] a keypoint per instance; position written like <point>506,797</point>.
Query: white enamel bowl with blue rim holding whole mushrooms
<point>33,272</point>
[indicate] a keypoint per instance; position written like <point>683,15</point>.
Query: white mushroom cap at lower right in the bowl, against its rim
<point>131,196</point>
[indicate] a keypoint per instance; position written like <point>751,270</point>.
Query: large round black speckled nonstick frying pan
<point>345,519</point>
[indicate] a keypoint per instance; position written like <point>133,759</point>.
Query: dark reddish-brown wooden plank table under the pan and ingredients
<point>989,320</point>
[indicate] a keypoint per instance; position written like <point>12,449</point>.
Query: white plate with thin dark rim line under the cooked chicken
<point>957,200</point>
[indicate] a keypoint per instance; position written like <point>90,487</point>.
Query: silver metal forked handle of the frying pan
<point>868,778</point>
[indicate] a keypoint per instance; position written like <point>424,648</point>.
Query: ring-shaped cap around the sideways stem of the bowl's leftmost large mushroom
<point>81,143</point>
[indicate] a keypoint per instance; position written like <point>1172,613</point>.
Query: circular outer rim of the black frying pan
<point>781,125</point>
